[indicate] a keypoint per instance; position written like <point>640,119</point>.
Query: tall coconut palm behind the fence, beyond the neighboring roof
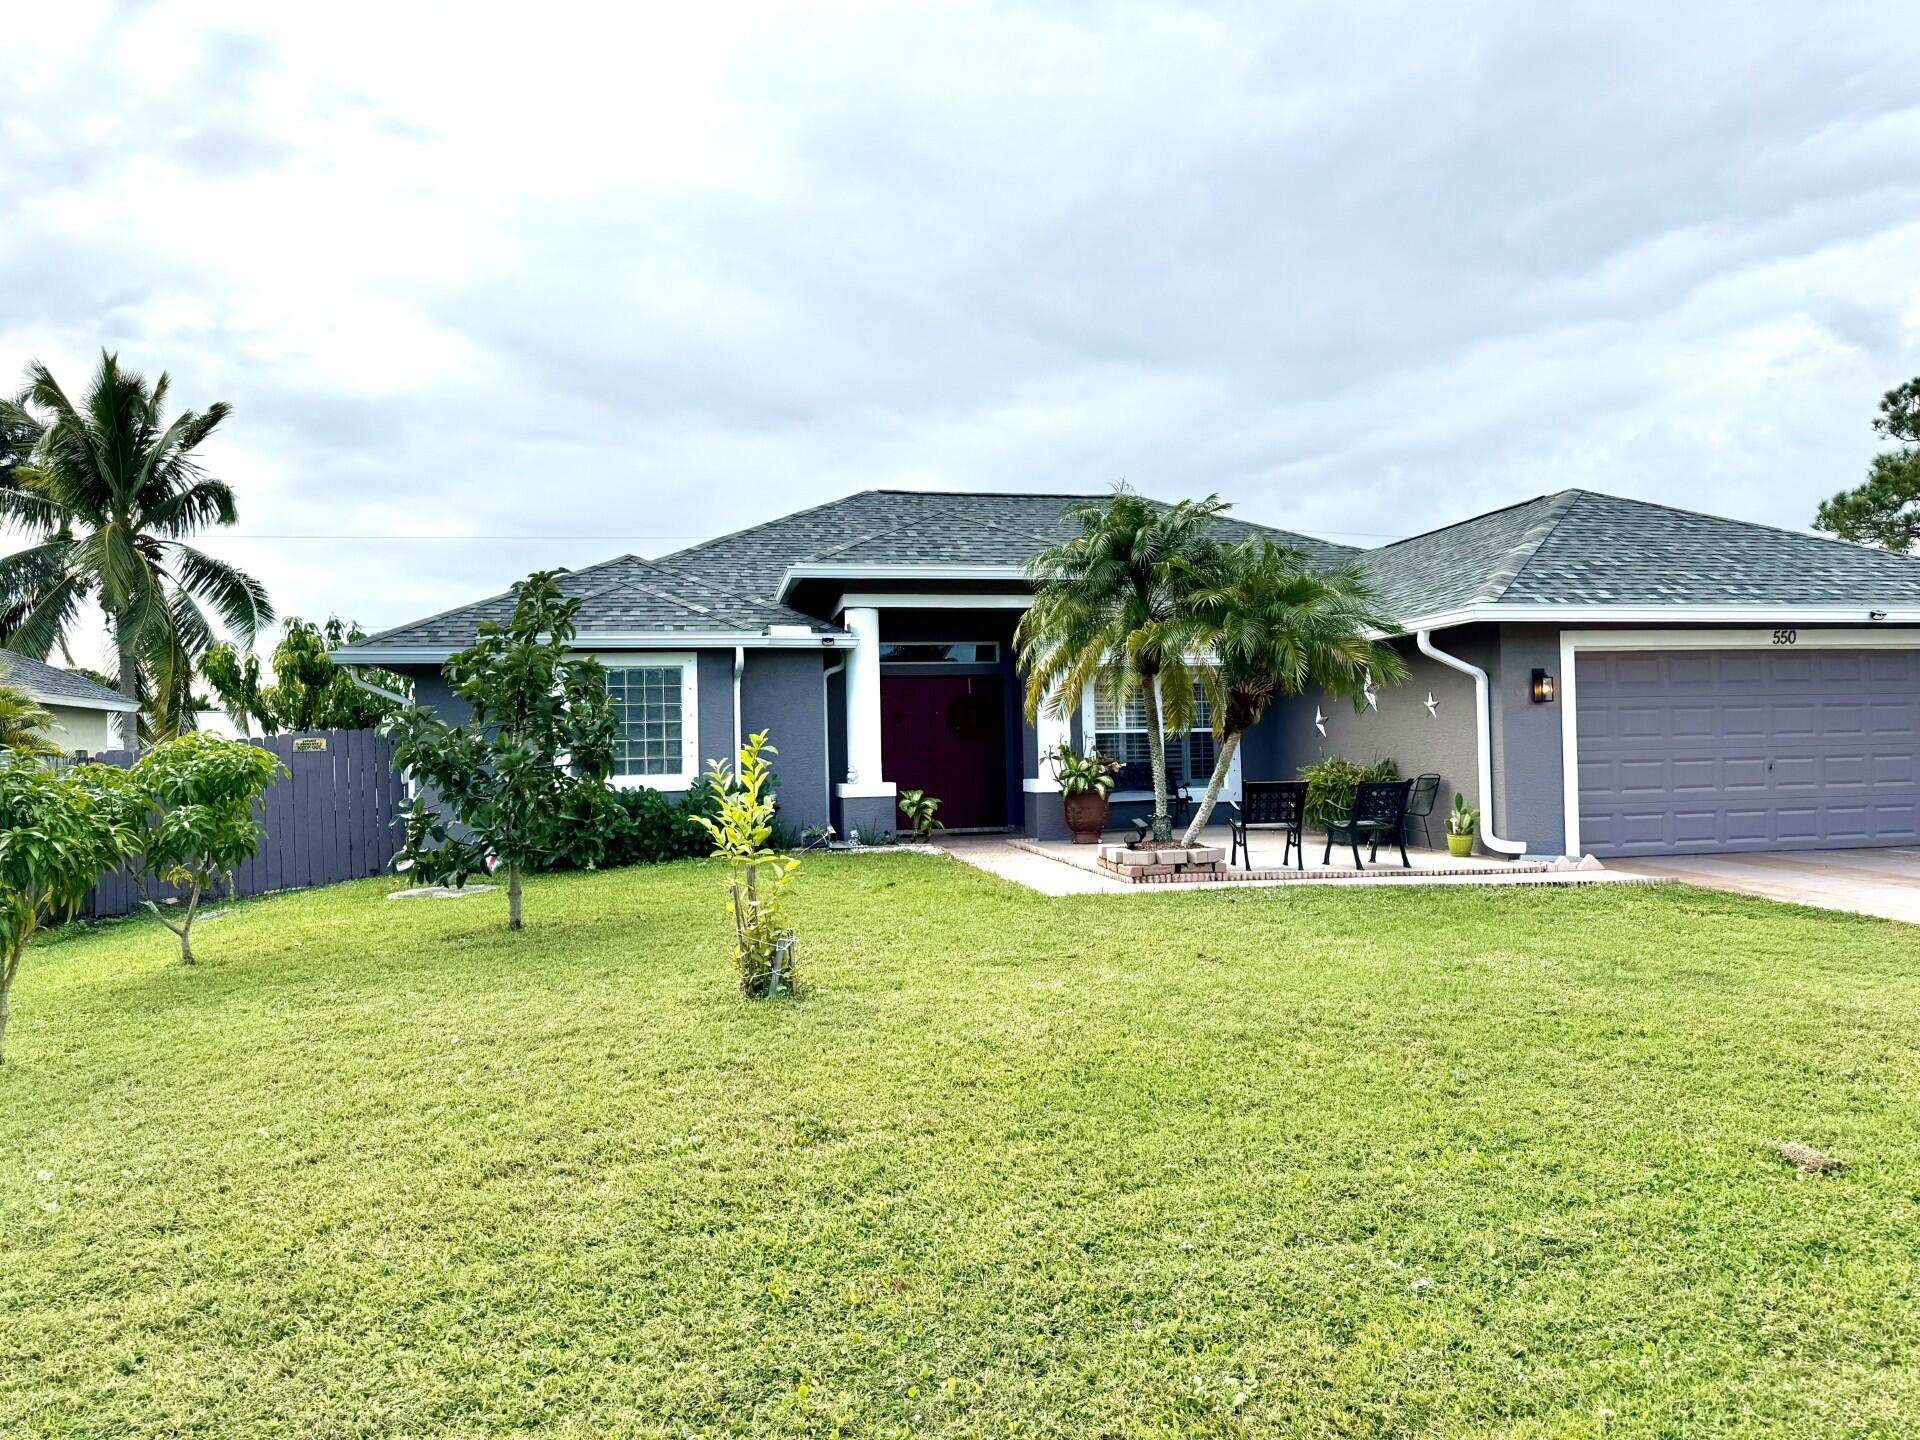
<point>112,492</point>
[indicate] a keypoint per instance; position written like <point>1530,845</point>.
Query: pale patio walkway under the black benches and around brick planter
<point>1065,869</point>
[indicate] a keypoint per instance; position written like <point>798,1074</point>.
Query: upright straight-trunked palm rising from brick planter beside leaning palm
<point>1099,615</point>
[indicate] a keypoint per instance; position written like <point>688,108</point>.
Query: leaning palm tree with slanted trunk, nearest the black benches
<point>1276,627</point>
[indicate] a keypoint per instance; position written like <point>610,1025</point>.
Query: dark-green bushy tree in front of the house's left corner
<point>527,777</point>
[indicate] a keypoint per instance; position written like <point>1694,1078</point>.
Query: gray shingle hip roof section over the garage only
<point>1583,548</point>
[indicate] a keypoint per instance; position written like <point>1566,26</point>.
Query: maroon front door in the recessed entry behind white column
<point>948,736</point>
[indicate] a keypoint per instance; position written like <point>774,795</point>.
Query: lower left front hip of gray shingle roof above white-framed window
<point>623,598</point>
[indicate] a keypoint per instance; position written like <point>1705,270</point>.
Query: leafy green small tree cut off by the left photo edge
<point>59,834</point>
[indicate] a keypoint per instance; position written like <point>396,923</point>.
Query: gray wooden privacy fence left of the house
<point>335,817</point>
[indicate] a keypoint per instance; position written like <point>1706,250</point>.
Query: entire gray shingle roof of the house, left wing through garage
<point>1572,548</point>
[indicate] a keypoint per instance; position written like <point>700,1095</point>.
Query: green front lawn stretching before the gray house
<point>1326,1163</point>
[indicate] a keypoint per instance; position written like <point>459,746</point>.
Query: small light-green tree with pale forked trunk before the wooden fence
<point>193,805</point>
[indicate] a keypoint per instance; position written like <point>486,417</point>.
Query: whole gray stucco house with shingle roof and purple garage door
<point>1596,675</point>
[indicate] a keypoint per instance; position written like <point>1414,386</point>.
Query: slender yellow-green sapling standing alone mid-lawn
<point>759,876</point>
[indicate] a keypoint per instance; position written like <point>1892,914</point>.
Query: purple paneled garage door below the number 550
<point>1769,750</point>
